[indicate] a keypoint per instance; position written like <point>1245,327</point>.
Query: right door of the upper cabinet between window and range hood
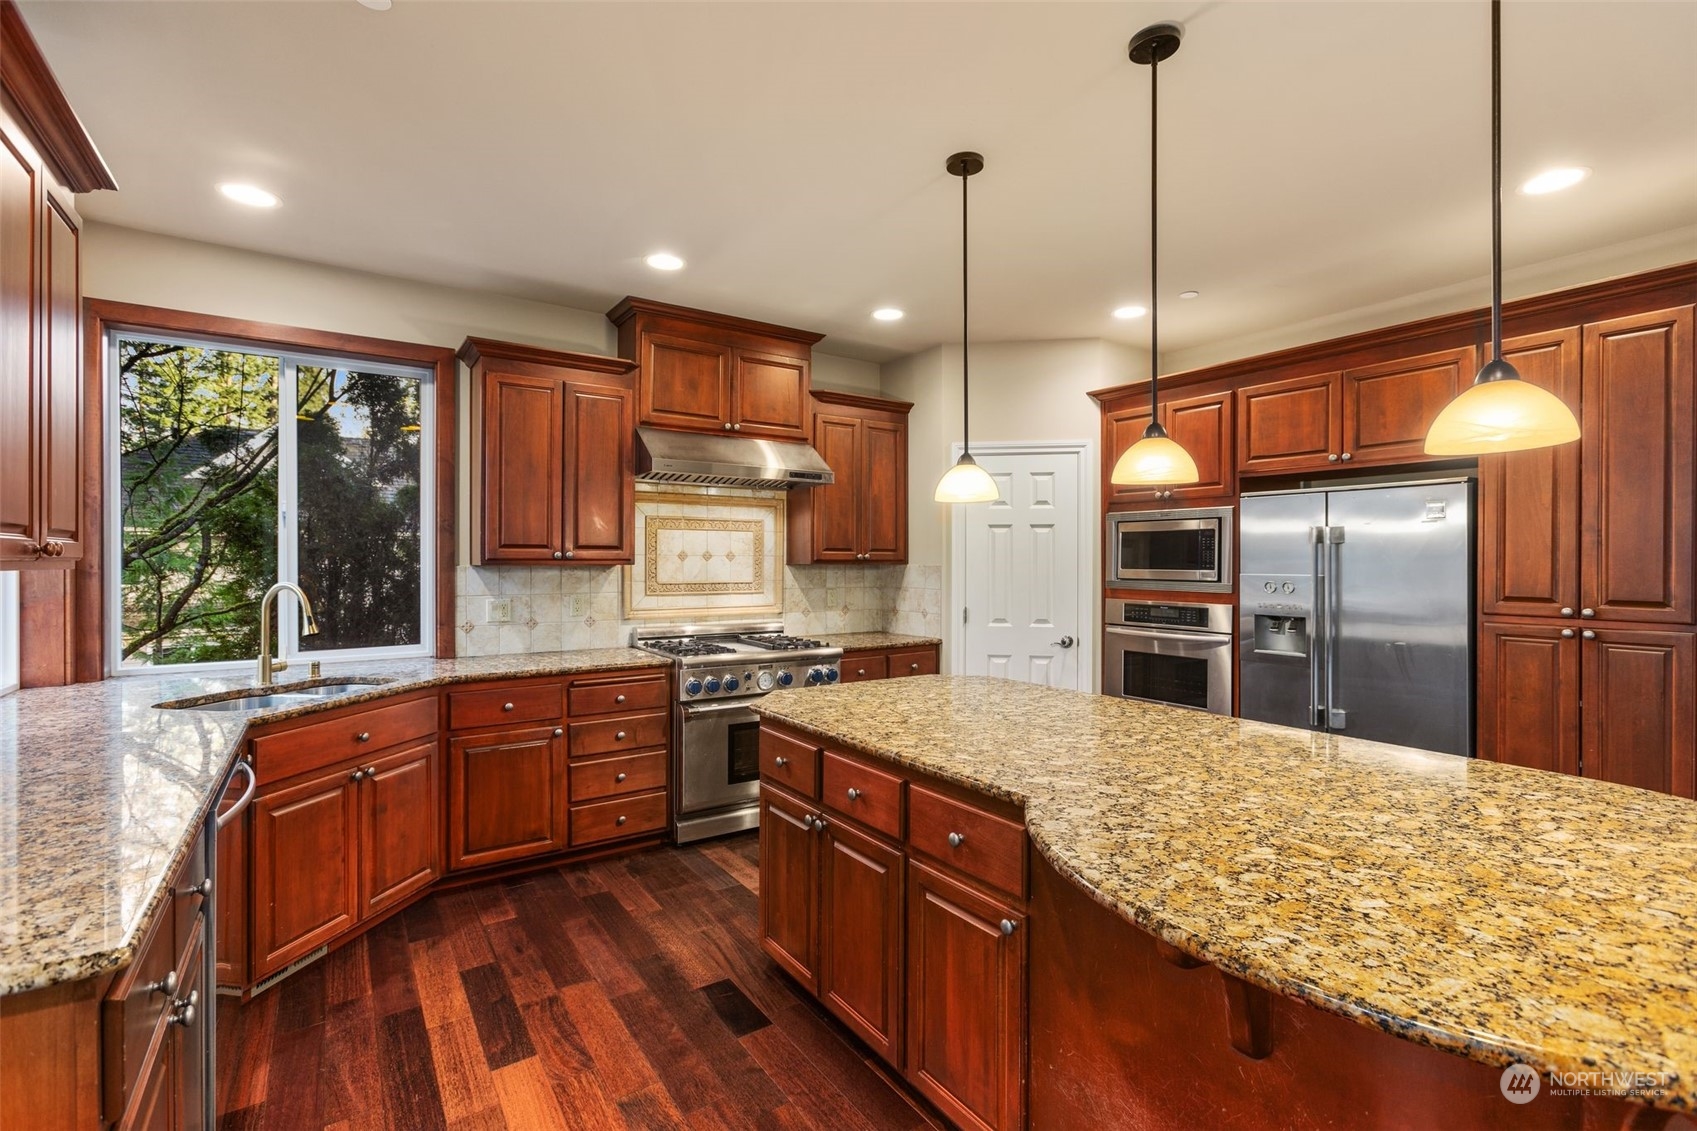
<point>600,473</point>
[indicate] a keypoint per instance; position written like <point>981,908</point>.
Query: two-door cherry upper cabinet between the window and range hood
<point>554,473</point>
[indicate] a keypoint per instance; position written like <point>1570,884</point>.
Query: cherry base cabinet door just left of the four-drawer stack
<point>507,796</point>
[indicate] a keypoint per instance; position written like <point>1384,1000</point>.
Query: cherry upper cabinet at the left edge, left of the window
<point>45,159</point>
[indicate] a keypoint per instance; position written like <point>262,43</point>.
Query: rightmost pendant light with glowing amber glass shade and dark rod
<point>1499,412</point>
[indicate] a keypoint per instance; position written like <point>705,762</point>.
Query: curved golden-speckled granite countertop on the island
<point>1498,913</point>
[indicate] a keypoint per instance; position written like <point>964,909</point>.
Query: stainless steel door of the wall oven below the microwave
<point>1175,668</point>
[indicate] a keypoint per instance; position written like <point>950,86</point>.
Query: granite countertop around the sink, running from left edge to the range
<point>103,796</point>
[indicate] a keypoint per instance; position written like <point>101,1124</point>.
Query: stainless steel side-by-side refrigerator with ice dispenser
<point>1357,612</point>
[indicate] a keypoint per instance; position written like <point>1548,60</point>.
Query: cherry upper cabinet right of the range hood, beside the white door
<point>865,515</point>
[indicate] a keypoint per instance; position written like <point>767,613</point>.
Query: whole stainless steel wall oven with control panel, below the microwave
<point>1177,653</point>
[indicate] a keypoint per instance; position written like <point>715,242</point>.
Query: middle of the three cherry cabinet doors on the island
<point>861,906</point>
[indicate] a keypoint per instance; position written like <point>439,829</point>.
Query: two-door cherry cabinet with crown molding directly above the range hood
<point>714,373</point>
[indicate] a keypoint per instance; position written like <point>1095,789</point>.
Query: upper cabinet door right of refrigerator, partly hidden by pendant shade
<point>1530,502</point>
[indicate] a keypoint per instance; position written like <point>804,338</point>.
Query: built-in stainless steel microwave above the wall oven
<point>1189,549</point>
